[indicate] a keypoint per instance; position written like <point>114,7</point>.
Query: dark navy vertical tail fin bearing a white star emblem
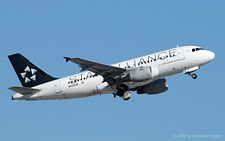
<point>28,74</point>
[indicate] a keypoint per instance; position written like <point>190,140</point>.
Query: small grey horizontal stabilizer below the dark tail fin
<point>24,90</point>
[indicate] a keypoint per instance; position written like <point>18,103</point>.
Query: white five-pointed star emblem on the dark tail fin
<point>29,74</point>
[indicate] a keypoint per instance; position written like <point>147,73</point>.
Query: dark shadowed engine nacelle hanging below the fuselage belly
<point>155,87</point>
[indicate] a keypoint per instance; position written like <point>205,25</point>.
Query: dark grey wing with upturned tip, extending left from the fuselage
<point>108,72</point>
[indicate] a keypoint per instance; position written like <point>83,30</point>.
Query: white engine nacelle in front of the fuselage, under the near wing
<point>141,74</point>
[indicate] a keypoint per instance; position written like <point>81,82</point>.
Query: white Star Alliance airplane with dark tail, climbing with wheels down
<point>145,75</point>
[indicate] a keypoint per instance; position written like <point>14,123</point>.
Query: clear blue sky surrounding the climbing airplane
<point>110,32</point>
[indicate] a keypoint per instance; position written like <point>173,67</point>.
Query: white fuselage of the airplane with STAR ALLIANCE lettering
<point>84,84</point>
